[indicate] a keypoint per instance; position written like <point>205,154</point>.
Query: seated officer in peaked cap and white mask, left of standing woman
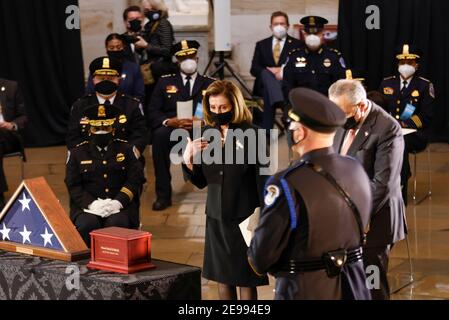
<point>187,85</point>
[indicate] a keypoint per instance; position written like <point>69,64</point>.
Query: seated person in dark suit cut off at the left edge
<point>12,122</point>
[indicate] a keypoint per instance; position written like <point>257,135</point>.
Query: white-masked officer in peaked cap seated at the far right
<point>410,100</point>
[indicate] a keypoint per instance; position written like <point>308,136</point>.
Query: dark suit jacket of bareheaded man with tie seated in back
<point>263,58</point>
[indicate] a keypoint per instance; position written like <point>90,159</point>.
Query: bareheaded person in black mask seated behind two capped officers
<point>131,82</point>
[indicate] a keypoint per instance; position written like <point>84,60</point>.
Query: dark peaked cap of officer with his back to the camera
<point>315,111</point>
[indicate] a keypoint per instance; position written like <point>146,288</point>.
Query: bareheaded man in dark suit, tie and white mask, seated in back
<point>269,58</point>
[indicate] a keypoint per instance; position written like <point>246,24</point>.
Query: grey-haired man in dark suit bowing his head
<point>373,137</point>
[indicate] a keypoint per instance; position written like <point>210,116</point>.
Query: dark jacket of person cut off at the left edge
<point>13,104</point>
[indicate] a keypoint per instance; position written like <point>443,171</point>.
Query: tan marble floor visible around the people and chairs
<point>178,232</point>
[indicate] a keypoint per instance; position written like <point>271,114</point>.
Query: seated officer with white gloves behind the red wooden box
<point>103,176</point>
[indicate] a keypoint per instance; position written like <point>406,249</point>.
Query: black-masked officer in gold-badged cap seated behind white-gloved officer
<point>131,124</point>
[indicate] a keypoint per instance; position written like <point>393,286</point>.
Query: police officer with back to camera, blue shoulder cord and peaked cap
<point>313,226</point>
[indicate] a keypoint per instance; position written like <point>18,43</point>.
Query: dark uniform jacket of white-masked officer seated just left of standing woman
<point>168,91</point>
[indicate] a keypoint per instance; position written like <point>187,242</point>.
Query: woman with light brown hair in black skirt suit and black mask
<point>234,187</point>
